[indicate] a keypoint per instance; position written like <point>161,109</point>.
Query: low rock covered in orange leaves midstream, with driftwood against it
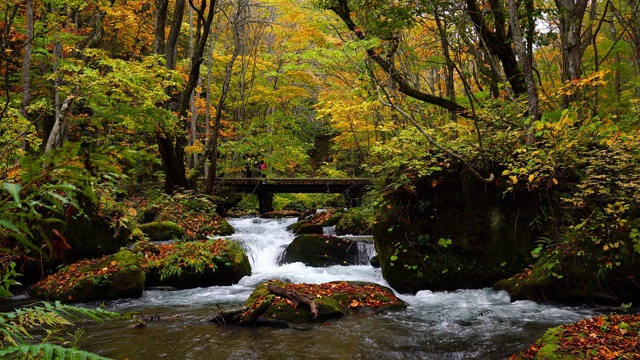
<point>333,300</point>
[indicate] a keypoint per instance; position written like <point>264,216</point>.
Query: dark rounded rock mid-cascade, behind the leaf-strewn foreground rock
<point>321,250</point>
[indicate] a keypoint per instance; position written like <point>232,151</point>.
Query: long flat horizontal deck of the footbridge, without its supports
<point>295,185</point>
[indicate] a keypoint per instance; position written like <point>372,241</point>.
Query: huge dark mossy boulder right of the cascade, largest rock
<point>446,234</point>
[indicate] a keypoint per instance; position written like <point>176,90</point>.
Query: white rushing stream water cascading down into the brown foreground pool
<point>464,324</point>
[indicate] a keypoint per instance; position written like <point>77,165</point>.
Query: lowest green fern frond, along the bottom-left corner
<point>47,351</point>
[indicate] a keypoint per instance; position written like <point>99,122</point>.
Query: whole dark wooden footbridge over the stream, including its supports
<point>351,188</point>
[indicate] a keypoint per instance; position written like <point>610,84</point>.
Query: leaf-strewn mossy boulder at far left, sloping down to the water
<point>111,277</point>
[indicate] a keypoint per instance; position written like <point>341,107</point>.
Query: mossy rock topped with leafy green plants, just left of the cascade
<point>186,265</point>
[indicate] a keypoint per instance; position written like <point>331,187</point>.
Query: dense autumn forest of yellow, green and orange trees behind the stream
<point>527,96</point>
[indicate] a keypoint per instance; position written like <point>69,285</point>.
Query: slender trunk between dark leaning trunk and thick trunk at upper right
<point>532,91</point>
